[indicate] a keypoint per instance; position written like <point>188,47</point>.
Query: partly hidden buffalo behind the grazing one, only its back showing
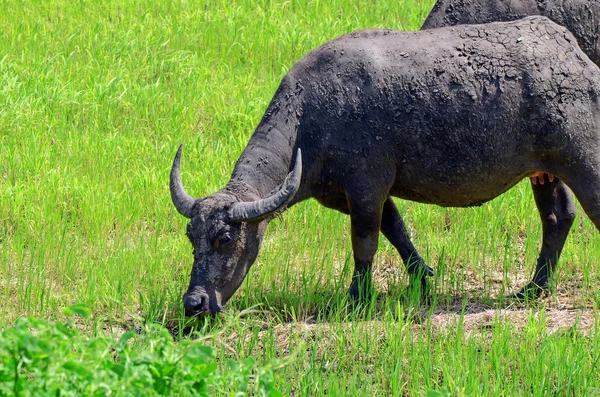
<point>581,17</point>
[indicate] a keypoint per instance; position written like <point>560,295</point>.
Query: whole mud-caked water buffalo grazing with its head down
<point>453,116</point>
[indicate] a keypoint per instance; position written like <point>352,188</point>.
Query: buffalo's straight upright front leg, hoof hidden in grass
<point>365,218</point>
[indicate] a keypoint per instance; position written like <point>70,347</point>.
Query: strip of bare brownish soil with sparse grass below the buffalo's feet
<point>476,319</point>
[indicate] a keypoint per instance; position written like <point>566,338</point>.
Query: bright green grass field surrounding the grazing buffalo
<point>94,99</point>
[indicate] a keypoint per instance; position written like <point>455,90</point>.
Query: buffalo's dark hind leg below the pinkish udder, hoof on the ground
<point>557,211</point>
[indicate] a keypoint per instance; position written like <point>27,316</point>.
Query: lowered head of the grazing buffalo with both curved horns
<point>226,232</point>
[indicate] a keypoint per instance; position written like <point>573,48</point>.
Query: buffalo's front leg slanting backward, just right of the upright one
<point>394,230</point>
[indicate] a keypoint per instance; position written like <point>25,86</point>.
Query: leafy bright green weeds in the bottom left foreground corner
<point>41,358</point>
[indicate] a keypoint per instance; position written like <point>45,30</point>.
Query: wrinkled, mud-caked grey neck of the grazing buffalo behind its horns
<point>267,159</point>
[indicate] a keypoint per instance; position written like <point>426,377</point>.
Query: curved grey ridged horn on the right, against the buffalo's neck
<point>260,209</point>
